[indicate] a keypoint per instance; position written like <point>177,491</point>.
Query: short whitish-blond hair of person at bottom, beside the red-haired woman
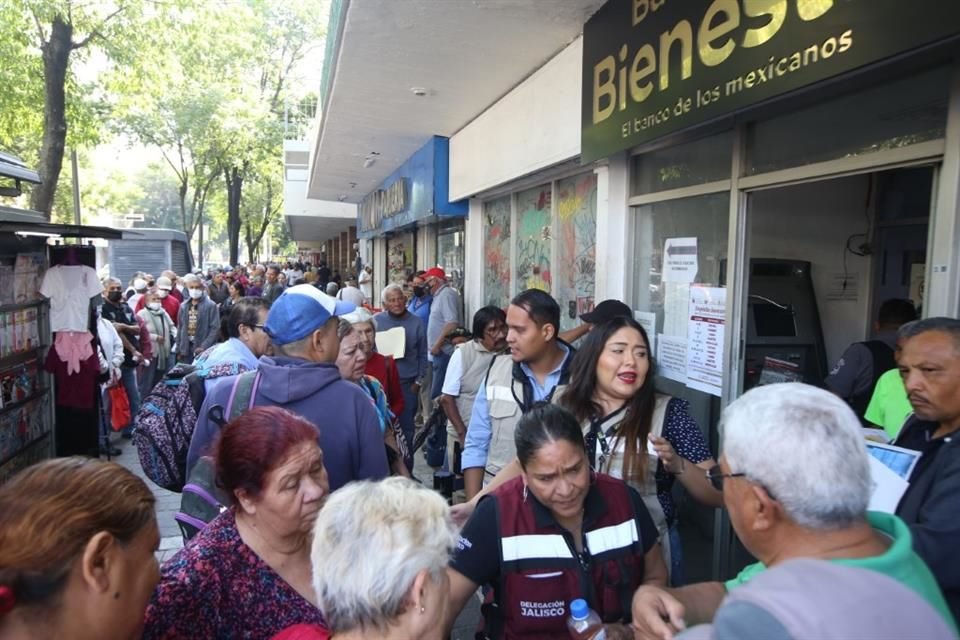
<point>362,568</point>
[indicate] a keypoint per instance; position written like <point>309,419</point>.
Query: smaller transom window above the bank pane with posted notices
<point>683,165</point>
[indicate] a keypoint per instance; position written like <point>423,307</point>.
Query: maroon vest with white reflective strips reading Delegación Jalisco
<point>541,571</point>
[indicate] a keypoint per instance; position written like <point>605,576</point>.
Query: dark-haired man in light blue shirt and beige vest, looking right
<point>536,368</point>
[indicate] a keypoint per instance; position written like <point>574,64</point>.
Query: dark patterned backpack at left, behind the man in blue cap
<point>166,420</point>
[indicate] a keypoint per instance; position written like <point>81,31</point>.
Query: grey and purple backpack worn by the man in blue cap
<point>202,499</point>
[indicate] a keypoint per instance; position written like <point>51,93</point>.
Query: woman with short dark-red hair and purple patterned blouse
<point>247,574</point>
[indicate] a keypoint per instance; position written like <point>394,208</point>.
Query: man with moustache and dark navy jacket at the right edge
<point>929,363</point>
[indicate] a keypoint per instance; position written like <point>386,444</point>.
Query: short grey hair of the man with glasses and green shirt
<point>805,446</point>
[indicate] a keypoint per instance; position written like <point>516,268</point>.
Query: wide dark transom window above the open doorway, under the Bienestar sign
<point>897,114</point>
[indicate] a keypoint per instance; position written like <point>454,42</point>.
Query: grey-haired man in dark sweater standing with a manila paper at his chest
<point>413,364</point>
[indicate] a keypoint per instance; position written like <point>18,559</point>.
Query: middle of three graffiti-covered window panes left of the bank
<point>533,239</point>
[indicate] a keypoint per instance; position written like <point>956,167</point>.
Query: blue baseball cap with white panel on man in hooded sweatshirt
<point>301,310</point>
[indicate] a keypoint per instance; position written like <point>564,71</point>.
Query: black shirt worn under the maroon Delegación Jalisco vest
<point>478,551</point>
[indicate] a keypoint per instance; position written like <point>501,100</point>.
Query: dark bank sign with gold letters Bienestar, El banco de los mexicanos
<point>652,67</point>
